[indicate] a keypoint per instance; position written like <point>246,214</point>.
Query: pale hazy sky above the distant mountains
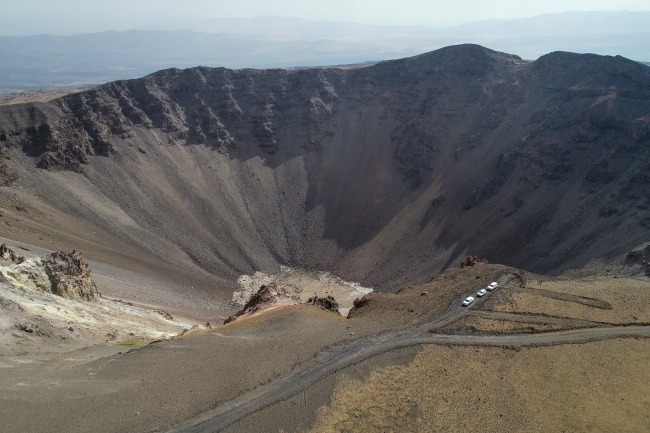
<point>75,16</point>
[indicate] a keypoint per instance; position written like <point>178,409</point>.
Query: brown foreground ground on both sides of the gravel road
<point>156,387</point>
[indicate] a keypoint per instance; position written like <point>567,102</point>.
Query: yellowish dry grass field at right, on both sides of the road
<point>599,386</point>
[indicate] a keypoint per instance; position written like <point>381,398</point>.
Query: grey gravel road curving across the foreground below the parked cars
<point>221,417</point>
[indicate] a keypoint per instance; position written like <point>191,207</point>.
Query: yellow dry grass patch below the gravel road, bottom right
<point>595,387</point>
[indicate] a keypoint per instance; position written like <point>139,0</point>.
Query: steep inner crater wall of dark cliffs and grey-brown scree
<point>382,174</point>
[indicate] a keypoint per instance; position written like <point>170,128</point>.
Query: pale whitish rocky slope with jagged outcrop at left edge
<point>39,318</point>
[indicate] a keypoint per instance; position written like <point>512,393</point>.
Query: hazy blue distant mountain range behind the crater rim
<point>43,61</point>
